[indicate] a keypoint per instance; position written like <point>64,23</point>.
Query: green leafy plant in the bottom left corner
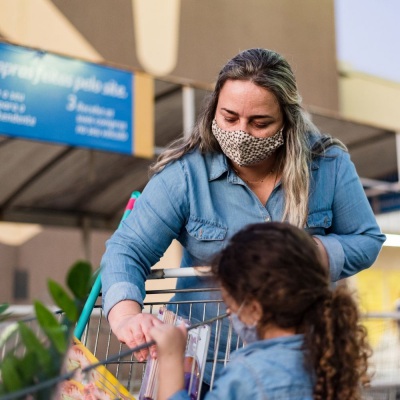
<point>34,371</point>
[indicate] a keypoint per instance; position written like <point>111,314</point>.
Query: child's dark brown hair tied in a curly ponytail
<point>278,265</point>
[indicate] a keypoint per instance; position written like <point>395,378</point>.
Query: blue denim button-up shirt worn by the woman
<point>201,202</point>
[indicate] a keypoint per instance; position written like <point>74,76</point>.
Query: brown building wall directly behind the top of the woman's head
<point>303,31</point>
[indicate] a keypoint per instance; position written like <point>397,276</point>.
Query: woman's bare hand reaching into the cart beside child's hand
<point>132,327</point>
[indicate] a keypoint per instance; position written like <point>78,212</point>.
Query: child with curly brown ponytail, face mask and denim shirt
<point>303,340</point>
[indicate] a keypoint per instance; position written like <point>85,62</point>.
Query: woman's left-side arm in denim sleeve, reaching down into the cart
<point>140,241</point>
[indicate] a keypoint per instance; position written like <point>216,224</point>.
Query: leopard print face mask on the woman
<point>245,149</point>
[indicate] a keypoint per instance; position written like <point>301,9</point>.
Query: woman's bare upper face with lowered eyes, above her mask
<point>242,105</point>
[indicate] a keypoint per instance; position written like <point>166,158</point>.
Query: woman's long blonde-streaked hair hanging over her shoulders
<point>271,71</point>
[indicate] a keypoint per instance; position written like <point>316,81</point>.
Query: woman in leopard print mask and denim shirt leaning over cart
<point>253,156</point>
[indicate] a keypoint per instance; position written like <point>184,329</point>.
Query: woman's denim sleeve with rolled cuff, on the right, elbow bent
<point>354,240</point>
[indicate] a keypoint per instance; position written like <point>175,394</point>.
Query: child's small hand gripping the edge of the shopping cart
<point>170,340</point>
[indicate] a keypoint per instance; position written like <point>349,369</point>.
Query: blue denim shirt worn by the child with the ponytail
<point>270,369</point>
